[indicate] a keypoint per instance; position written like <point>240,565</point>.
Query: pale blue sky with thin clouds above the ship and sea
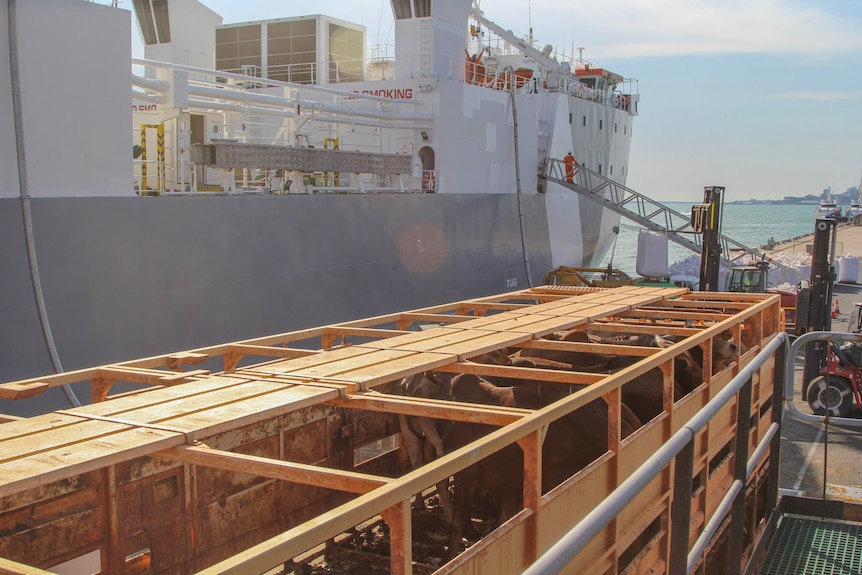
<point>763,97</point>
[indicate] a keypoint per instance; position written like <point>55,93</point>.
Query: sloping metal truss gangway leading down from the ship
<point>647,212</point>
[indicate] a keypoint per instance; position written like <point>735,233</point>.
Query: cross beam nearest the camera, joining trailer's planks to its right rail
<point>338,479</point>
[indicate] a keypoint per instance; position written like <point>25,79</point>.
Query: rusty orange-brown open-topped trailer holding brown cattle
<point>283,454</point>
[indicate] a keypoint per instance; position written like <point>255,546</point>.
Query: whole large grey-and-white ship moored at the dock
<point>278,178</point>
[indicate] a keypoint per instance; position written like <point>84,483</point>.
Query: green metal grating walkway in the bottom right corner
<point>816,547</point>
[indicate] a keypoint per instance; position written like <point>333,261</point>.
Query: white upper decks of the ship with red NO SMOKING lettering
<point>456,106</point>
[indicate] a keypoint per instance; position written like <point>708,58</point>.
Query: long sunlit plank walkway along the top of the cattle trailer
<point>62,444</point>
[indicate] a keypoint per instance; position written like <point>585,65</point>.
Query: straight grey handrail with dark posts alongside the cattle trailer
<point>680,450</point>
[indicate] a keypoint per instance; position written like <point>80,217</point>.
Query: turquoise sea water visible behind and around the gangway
<point>751,225</point>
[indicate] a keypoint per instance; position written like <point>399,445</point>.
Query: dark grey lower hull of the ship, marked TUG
<point>127,278</point>
